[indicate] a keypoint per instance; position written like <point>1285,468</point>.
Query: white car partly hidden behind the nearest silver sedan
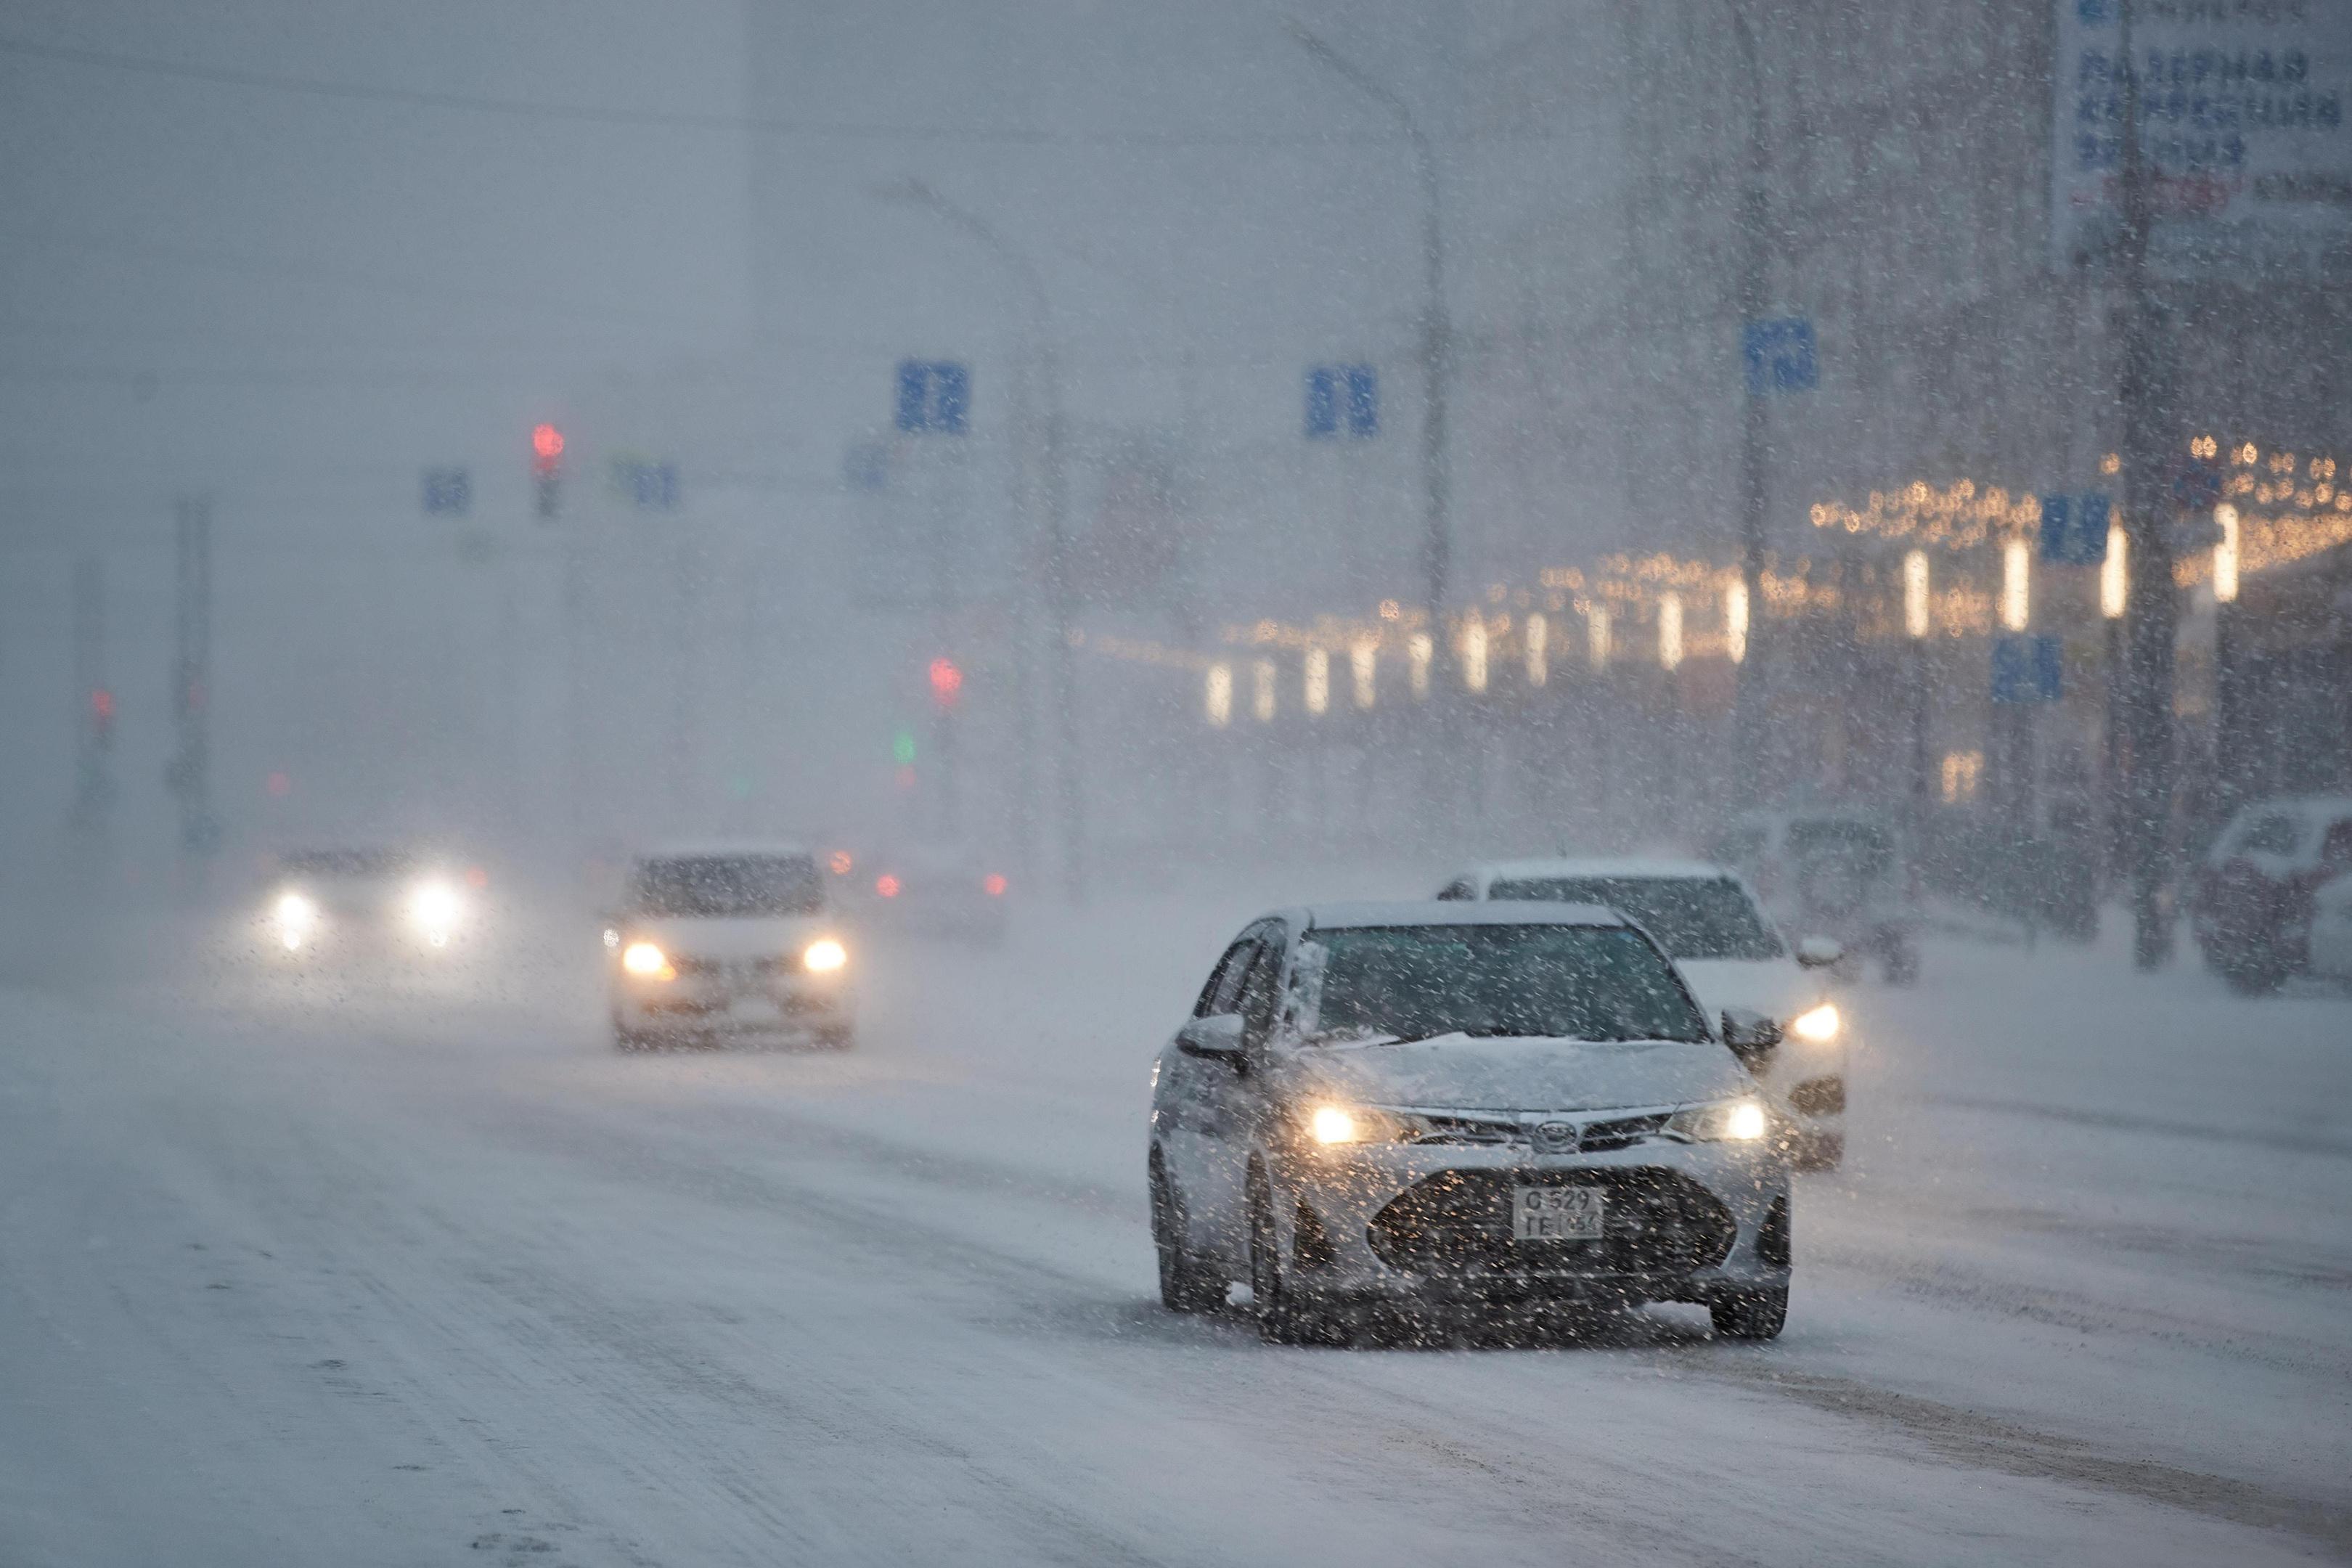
<point>1728,949</point>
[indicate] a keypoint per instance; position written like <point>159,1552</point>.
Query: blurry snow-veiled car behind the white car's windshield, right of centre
<point>1836,873</point>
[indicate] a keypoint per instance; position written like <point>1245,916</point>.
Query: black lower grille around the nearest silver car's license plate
<point>1457,1224</point>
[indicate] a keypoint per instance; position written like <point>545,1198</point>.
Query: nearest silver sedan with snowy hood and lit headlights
<point>1434,1108</point>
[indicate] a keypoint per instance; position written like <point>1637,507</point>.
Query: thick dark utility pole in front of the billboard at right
<point>2151,608</point>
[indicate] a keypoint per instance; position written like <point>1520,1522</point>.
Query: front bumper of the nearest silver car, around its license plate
<point>1431,1224</point>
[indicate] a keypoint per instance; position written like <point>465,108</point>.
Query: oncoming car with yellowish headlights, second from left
<point>728,942</point>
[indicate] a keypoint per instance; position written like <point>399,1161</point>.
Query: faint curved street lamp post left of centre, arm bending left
<point>1057,544</point>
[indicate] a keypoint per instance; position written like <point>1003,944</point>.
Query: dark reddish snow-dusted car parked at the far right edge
<point>2254,897</point>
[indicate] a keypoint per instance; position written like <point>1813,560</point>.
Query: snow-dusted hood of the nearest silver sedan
<point>1462,1073</point>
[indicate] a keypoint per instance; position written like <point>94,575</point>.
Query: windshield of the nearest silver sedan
<point>1528,981</point>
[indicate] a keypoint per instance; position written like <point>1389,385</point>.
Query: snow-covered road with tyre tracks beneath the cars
<point>302,1280</point>
